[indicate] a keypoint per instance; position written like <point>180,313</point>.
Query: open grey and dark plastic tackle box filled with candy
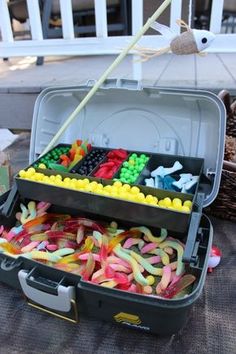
<point>167,125</point>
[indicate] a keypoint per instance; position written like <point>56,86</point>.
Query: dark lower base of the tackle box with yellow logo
<point>145,313</point>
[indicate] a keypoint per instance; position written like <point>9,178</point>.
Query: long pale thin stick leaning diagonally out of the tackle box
<point>116,62</point>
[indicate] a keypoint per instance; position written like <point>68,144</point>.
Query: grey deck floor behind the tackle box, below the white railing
<point>21,80</point>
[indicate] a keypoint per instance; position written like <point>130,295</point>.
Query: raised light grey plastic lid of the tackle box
<point>125,114</point>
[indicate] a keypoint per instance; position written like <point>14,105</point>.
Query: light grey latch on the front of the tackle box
<point>61,302</point>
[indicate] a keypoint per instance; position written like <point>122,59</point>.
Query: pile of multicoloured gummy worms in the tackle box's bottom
<point>133,260</point>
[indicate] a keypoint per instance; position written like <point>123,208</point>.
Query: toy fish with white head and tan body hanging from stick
<point>189,42</point>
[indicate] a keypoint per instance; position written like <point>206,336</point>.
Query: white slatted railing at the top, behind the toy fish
<point>102,43</point>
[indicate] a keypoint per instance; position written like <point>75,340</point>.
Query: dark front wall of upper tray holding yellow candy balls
<point>143,214</point>
